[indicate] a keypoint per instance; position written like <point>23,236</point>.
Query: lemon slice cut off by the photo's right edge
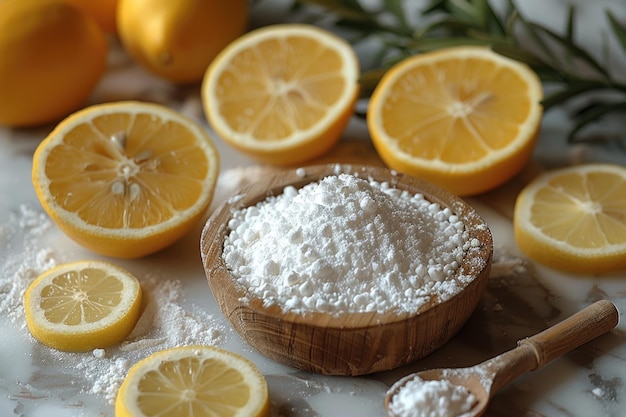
<point>574,219</point>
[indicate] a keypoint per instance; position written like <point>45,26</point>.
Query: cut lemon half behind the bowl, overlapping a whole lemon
<point>284,93</point>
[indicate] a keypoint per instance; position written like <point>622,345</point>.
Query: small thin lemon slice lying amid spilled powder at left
<point>82,305</point>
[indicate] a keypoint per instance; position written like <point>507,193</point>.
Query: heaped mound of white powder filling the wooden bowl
<point>346,244</point>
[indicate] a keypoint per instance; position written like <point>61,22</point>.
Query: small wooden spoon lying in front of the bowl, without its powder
<point>487,378</point>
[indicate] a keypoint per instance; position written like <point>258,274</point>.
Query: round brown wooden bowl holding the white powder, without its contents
<point>355,343</point>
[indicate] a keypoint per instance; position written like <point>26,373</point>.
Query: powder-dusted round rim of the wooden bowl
<point>216,228</point>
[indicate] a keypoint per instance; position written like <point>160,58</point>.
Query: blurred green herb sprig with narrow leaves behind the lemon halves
<point>568,70</point>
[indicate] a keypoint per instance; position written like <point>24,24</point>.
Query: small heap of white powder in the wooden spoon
<point>421,398</point>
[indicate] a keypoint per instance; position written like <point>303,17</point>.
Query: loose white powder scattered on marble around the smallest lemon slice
<point>165,322</point>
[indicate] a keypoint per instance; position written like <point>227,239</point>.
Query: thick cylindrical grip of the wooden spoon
<point>580,328</point>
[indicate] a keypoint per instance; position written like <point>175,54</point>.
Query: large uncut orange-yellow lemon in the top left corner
<point>52,56</point>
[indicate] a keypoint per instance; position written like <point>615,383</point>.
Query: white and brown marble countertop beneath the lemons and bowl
<point>522,298</point>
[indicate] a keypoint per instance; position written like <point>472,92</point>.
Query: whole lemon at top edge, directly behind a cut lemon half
<point>177,40</point>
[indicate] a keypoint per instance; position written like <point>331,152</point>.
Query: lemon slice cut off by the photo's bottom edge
<point>193,381</point>
